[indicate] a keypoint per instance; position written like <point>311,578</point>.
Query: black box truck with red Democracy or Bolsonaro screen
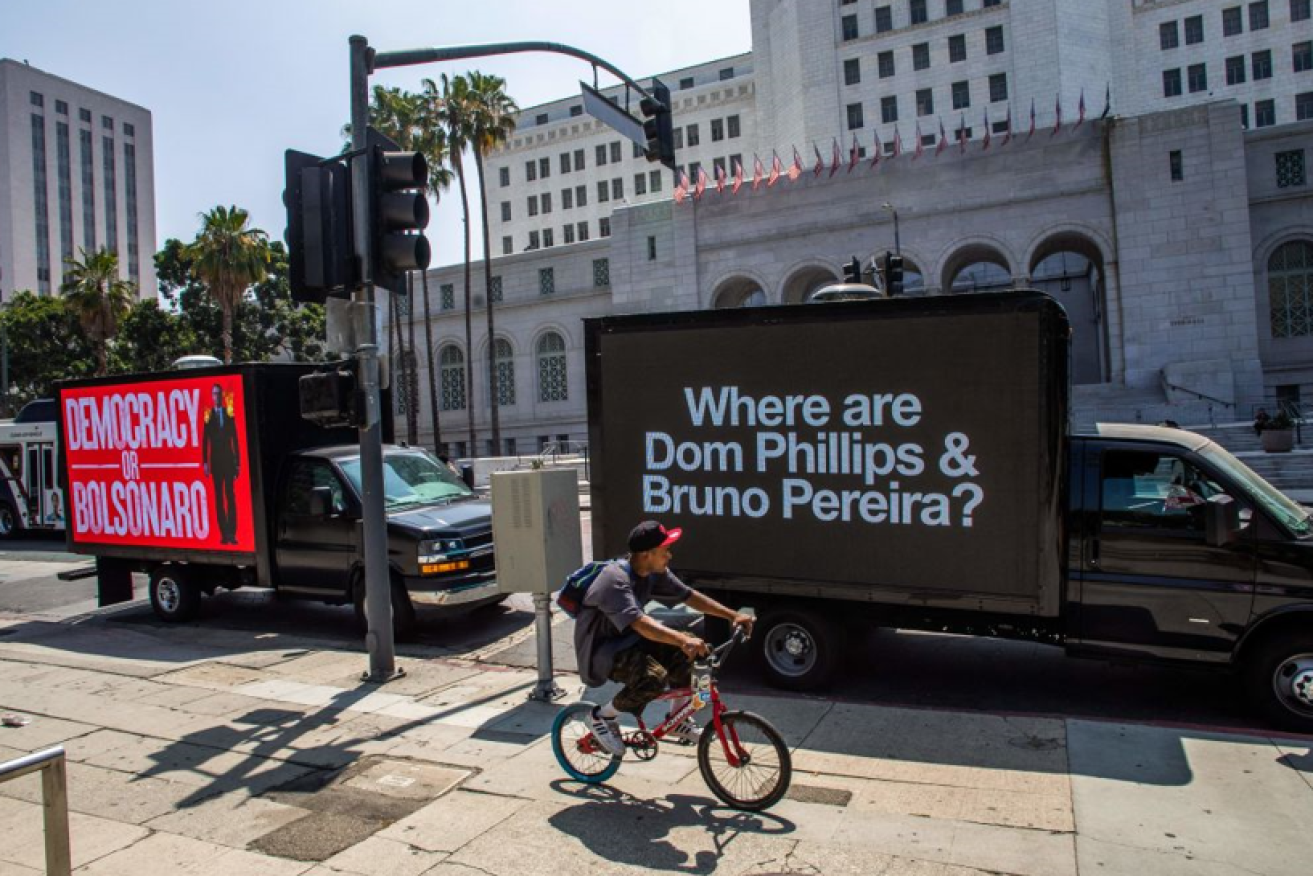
<point>209,479</point>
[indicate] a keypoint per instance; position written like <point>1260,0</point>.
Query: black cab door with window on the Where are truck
<point>1150,582</point>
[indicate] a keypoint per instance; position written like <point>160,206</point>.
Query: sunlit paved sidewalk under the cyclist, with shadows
<point>199,751</point>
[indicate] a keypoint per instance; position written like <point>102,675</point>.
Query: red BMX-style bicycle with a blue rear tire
<point>750,769</point>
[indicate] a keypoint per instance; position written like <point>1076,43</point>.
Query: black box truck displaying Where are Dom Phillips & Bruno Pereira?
<point>907,463</point>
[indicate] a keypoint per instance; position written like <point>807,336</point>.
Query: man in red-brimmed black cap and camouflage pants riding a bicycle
<point>616,640</point>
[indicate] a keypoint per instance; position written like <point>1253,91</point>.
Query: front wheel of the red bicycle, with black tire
<point>764,764</point>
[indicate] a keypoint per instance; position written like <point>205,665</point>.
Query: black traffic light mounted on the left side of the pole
<point>320,254</point>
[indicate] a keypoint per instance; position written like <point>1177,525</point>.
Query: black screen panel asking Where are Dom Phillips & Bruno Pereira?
<point>896,447</point>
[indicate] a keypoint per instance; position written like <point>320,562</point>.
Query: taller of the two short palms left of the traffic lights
<point>229,257</point>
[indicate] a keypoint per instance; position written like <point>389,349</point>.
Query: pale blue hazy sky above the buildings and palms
<point>233,85</point>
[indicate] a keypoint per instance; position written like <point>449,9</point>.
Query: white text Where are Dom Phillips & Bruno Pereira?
<point>802,438</point>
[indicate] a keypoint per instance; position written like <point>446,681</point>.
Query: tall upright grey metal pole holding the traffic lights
<point>379,592</point>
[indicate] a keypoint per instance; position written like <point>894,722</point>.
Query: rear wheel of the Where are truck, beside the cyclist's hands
<point>799,649</point>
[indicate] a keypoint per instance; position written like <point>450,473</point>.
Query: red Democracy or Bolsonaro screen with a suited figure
<point>161,464</point>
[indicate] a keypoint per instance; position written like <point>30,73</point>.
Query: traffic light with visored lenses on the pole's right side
<point>398,212</point>
